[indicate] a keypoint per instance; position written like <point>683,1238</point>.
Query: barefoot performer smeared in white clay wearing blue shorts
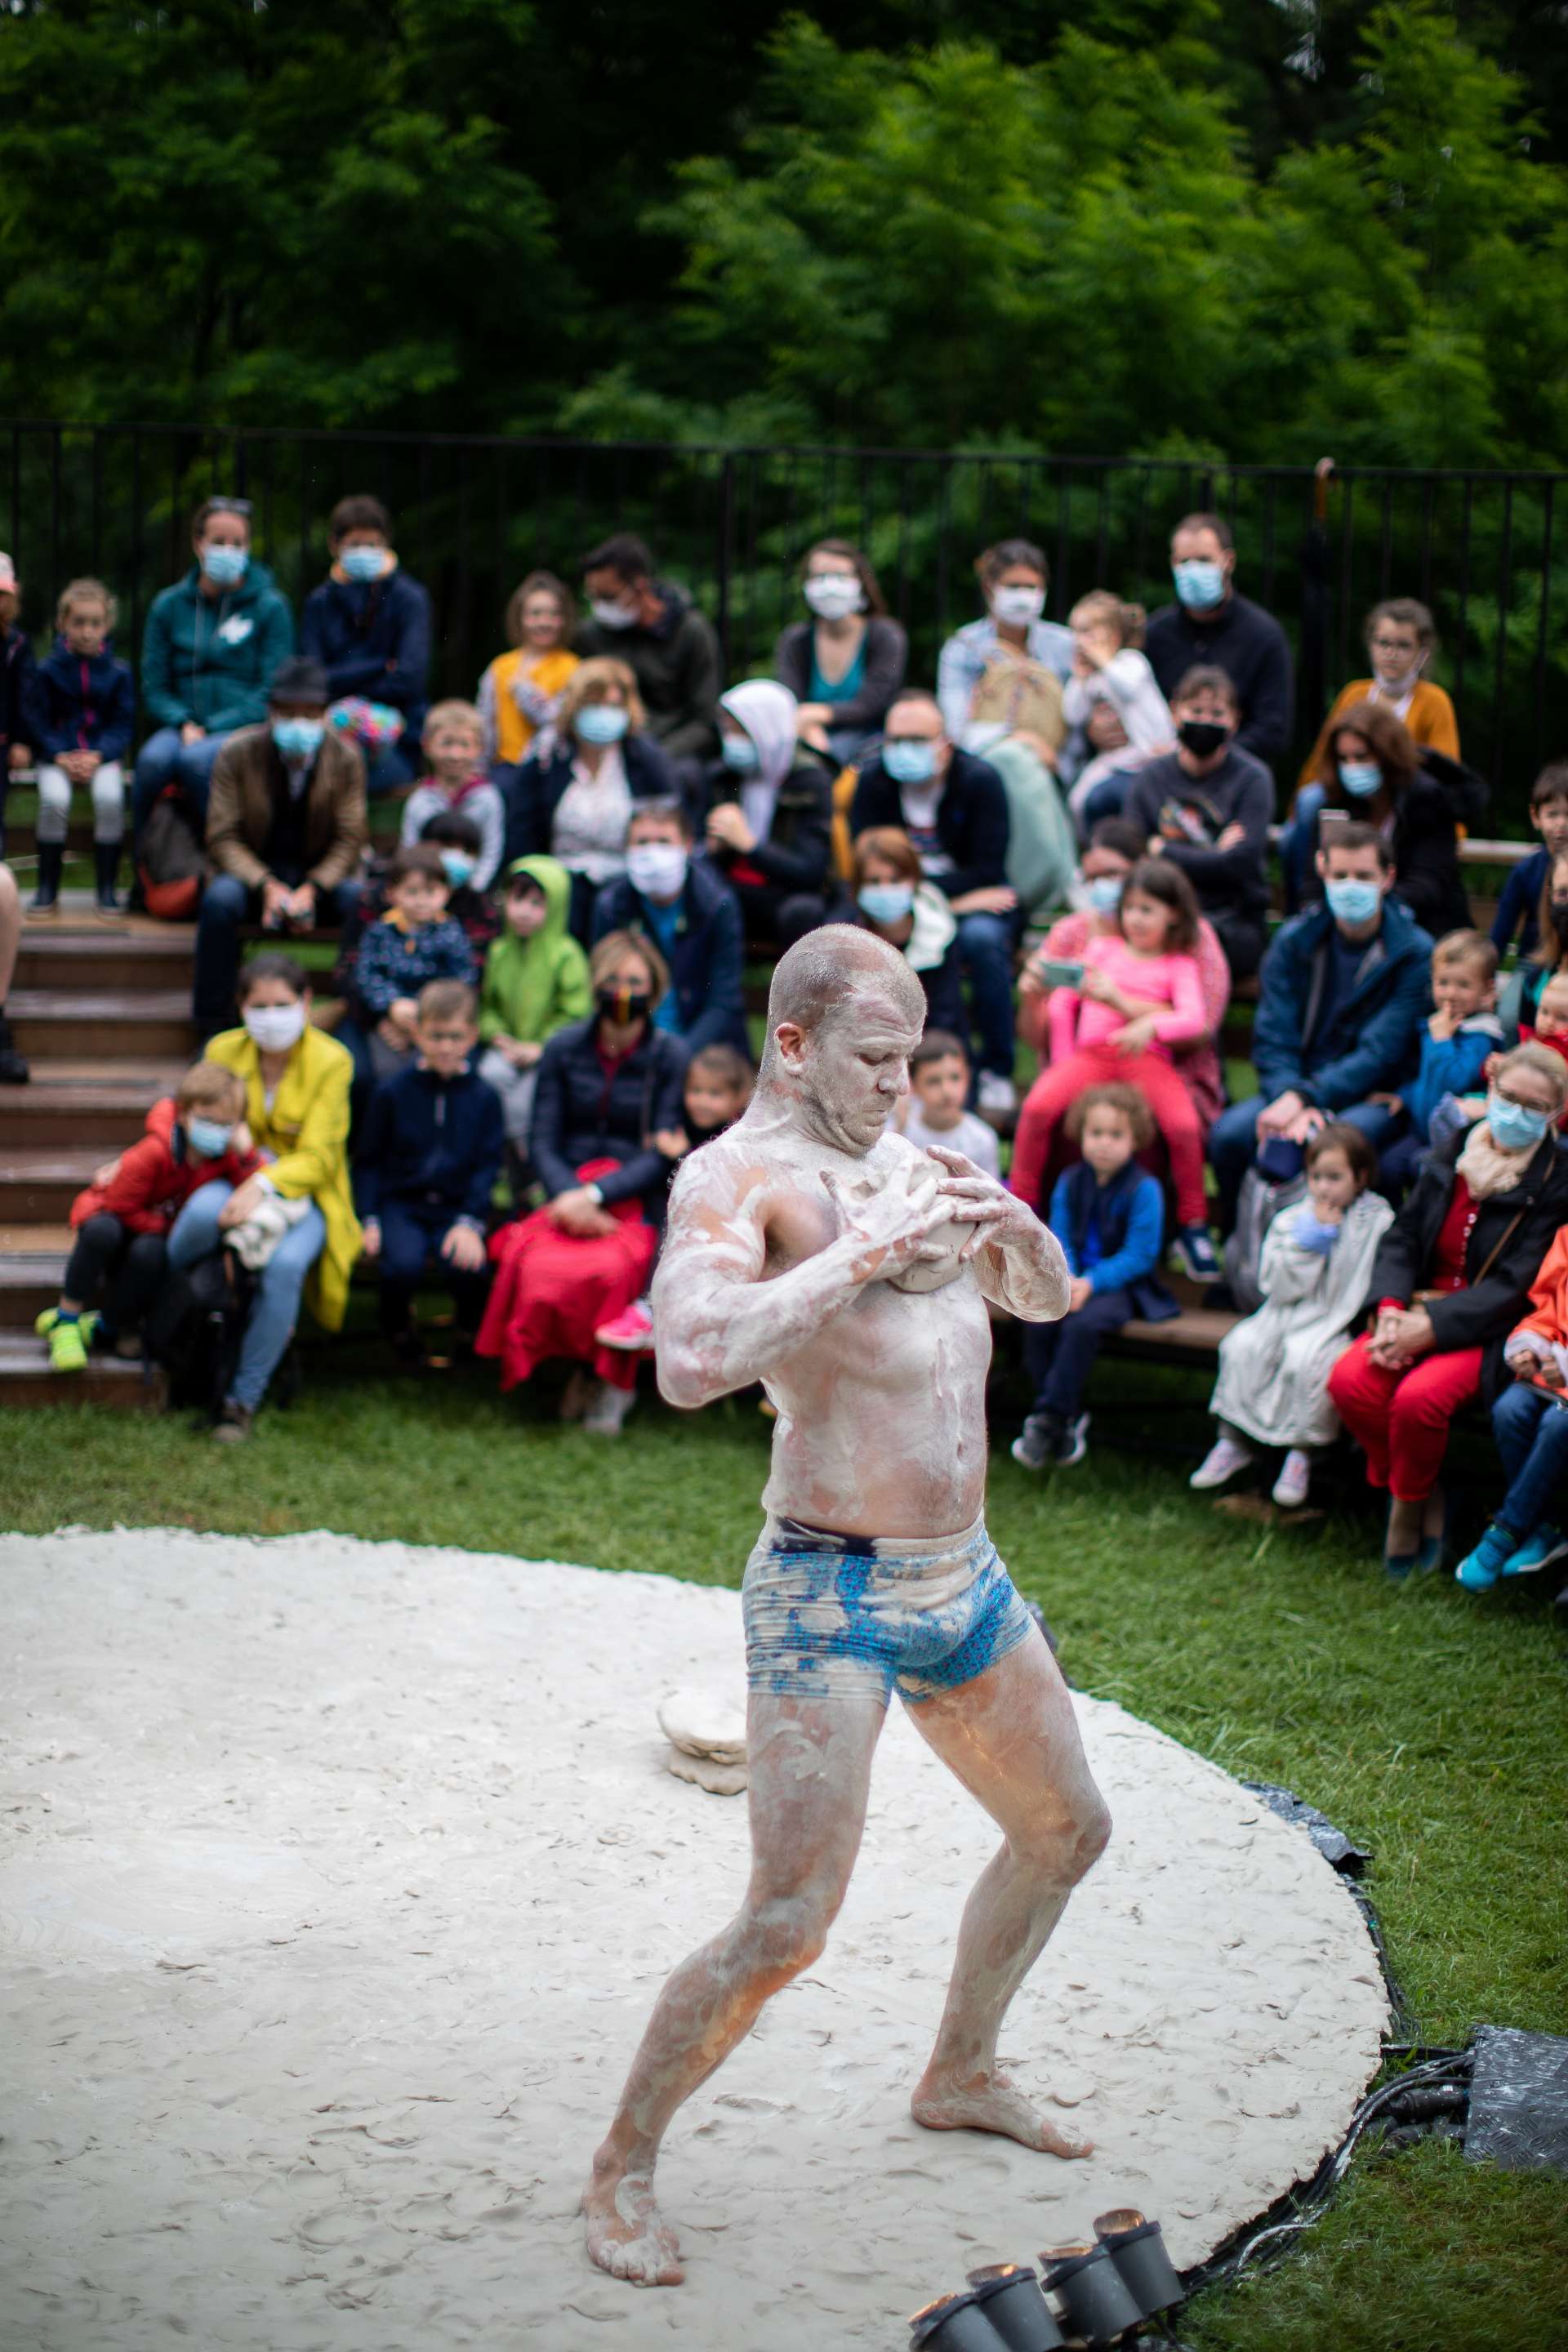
<point>822,1255</point>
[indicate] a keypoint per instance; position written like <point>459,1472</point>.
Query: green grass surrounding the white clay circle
<point>1423,1723</point>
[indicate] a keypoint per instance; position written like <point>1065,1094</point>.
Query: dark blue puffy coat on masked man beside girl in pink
<point>1374,1038</point>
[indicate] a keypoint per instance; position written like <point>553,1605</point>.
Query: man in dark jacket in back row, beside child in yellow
<point>669,643</point>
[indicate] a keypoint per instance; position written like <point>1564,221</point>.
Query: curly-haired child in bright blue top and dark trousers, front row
<point>1108,1217</point>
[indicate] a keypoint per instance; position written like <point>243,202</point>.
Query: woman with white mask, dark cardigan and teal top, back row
<point>847,662</point>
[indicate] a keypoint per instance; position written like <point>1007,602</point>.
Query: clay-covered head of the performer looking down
<point>845,1015</point>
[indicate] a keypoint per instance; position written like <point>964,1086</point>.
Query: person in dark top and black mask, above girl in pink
<point>1207,808</point>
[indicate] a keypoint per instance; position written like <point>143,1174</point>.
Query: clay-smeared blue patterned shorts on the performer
<point>829,1617</point>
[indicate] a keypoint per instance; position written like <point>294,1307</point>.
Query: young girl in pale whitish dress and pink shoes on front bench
<point>1318,1262</point>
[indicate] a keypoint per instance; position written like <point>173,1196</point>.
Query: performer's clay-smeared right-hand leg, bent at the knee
<point>1014,1744</point>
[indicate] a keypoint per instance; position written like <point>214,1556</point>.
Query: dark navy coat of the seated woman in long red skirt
<point>579,1114</point>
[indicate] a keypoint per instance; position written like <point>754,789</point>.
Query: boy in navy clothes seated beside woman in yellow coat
<point>429,1165</point>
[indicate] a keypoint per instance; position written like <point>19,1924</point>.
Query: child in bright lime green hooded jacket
<point>535,982</point>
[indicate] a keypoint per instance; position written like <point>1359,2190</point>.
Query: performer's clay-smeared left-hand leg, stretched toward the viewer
<point>810,1765</point>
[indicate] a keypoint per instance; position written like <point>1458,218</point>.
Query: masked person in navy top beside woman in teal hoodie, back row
<point>370,629</point>
